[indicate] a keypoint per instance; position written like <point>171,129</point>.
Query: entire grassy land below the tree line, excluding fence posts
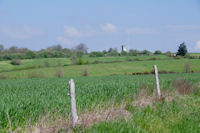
<point>109,99</point>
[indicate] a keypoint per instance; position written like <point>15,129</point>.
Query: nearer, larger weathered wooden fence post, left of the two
<point>73,102</point>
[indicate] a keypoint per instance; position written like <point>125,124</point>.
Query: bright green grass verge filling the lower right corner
<point>181,116</point>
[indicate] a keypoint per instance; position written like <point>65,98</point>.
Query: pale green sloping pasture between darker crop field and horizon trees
<point>106,66</point>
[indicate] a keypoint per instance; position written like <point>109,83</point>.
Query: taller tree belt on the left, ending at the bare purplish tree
<point>55,51</point>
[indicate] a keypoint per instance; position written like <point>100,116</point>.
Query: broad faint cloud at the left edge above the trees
<point>22,33</point>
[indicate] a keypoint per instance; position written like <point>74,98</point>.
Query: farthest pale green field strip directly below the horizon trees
<point>52,62</point>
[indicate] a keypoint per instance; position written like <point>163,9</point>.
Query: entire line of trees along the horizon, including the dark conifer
<point>57,51</point>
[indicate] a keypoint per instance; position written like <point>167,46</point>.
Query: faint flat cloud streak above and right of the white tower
<point>135,31</point>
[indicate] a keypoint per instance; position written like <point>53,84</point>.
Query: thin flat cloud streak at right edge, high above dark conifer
<point>183,27</point>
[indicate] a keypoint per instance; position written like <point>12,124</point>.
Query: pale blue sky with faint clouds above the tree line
<point>101,24</point>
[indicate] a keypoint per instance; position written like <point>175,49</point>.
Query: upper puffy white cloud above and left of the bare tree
<point>72,31</point>
